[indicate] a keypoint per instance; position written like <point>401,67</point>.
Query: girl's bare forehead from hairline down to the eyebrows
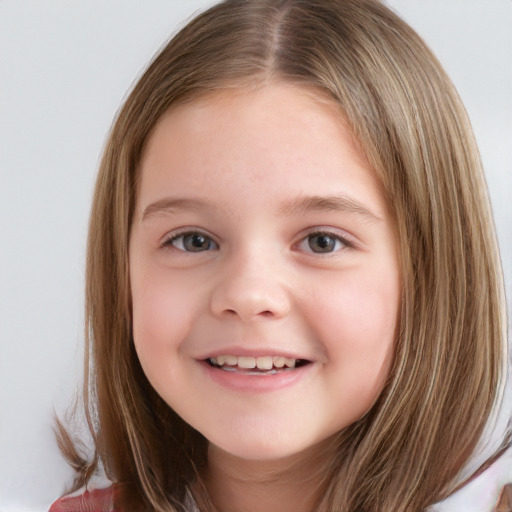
<point>276,137</point>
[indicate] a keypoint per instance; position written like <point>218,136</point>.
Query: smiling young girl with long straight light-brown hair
<point>294,294</point>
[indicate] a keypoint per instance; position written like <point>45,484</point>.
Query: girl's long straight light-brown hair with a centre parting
<point>409,450</point>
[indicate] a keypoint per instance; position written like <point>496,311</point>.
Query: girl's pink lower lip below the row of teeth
<point>256,383</point>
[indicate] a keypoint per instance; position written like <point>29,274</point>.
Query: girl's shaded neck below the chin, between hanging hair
<point>293,484</point>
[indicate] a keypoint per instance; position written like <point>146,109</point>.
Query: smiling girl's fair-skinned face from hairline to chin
<point>261,241</point>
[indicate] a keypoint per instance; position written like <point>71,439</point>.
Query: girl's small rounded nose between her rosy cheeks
<point>249,288</point>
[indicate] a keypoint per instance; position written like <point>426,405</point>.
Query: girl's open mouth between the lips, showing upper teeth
<point>250,365</point>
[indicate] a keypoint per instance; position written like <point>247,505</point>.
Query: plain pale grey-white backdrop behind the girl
<point>64,69</point>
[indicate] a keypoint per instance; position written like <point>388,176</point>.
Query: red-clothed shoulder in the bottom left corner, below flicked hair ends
<point>87,500</point>
